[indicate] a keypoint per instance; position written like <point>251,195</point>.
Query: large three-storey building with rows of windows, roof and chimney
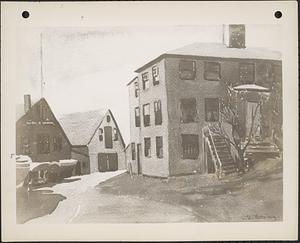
<point>177,94</point>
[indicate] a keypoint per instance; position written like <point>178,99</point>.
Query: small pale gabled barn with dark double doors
<point>96,140</point>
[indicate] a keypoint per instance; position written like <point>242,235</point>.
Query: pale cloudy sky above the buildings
<point>88,68</point>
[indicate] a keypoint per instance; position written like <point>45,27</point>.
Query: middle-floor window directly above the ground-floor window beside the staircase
<point>188,110</point>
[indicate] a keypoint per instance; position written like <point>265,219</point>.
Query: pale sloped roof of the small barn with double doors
<point>80,126</point>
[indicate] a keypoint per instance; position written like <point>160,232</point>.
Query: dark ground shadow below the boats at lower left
<point>35,204</point>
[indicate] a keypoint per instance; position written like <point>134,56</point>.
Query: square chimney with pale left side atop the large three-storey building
<point>234,35</point>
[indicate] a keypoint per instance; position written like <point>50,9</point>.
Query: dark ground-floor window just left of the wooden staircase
<point>190,146</point>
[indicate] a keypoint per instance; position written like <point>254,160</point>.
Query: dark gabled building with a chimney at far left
<point>39,134</point>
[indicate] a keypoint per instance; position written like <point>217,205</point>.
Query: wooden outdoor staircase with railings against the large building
<point>219,153</point>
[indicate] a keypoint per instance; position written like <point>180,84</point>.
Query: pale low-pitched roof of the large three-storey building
<point>218,50</point>
